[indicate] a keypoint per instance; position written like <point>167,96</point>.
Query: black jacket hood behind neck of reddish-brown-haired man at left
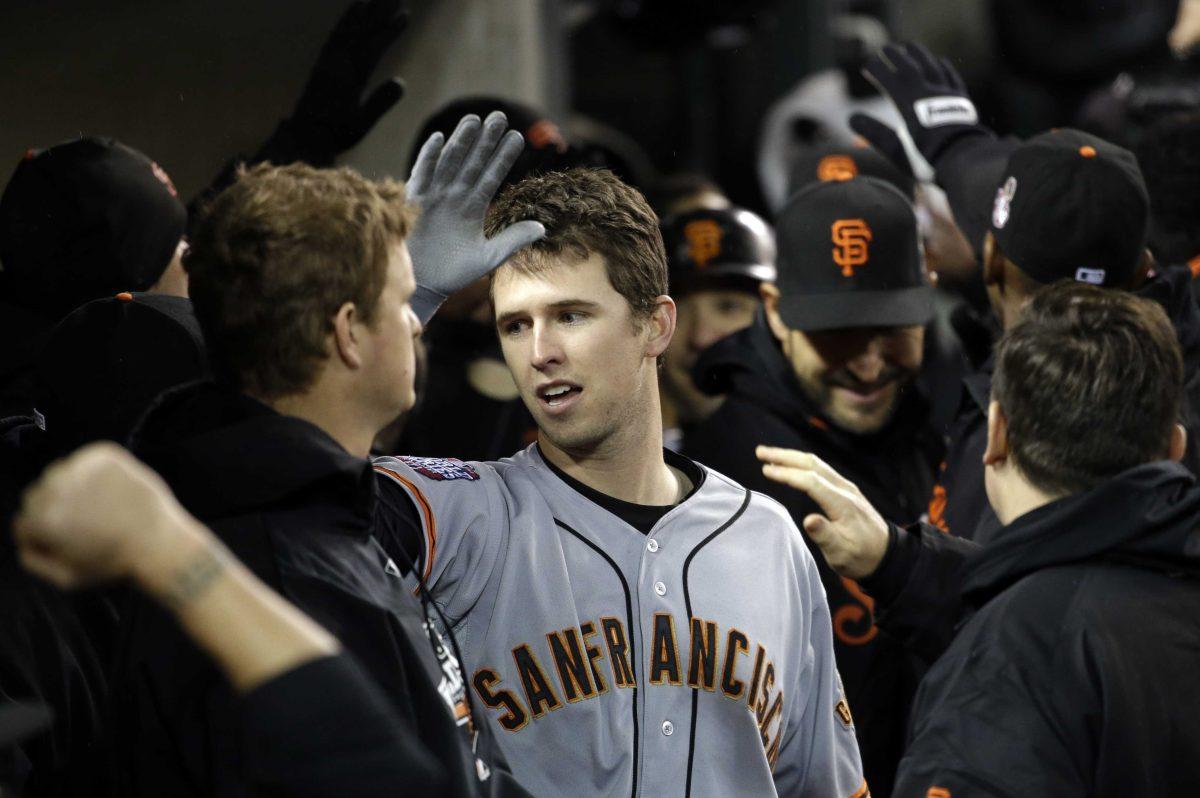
<point>226,454</point>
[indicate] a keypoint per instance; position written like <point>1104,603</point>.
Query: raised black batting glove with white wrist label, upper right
<point>929,94</point>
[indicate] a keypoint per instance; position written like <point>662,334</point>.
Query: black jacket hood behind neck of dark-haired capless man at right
<point>1147,517</point>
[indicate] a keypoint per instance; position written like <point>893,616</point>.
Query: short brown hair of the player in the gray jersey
<point>586,212</point>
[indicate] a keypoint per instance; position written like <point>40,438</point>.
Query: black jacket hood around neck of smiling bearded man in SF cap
<point>752,365</point>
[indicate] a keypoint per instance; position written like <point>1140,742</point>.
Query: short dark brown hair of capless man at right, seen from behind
<point>1091,385</point>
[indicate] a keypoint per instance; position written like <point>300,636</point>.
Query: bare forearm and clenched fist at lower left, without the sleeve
<point>100,515</point>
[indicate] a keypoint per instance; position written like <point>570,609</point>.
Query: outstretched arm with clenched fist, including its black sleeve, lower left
<point>101,515</point>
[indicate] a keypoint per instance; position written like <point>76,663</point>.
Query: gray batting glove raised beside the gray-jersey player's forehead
<point>453,183</point>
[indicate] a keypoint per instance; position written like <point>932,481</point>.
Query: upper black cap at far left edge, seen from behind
<point>85,220</point>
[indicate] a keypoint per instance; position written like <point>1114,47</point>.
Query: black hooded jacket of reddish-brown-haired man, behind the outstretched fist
<point>298,509</point>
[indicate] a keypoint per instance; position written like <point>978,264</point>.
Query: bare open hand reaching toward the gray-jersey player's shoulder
<point>851,535</point>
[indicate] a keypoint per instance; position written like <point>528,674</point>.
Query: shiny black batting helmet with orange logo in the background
<point>729,247</point>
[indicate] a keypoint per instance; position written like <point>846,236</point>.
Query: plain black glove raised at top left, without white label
<point>333,116</point>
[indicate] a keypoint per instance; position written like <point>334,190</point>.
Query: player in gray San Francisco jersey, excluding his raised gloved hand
<point>633,622</point>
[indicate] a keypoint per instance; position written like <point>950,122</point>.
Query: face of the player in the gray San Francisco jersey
<point>575,351</point>
